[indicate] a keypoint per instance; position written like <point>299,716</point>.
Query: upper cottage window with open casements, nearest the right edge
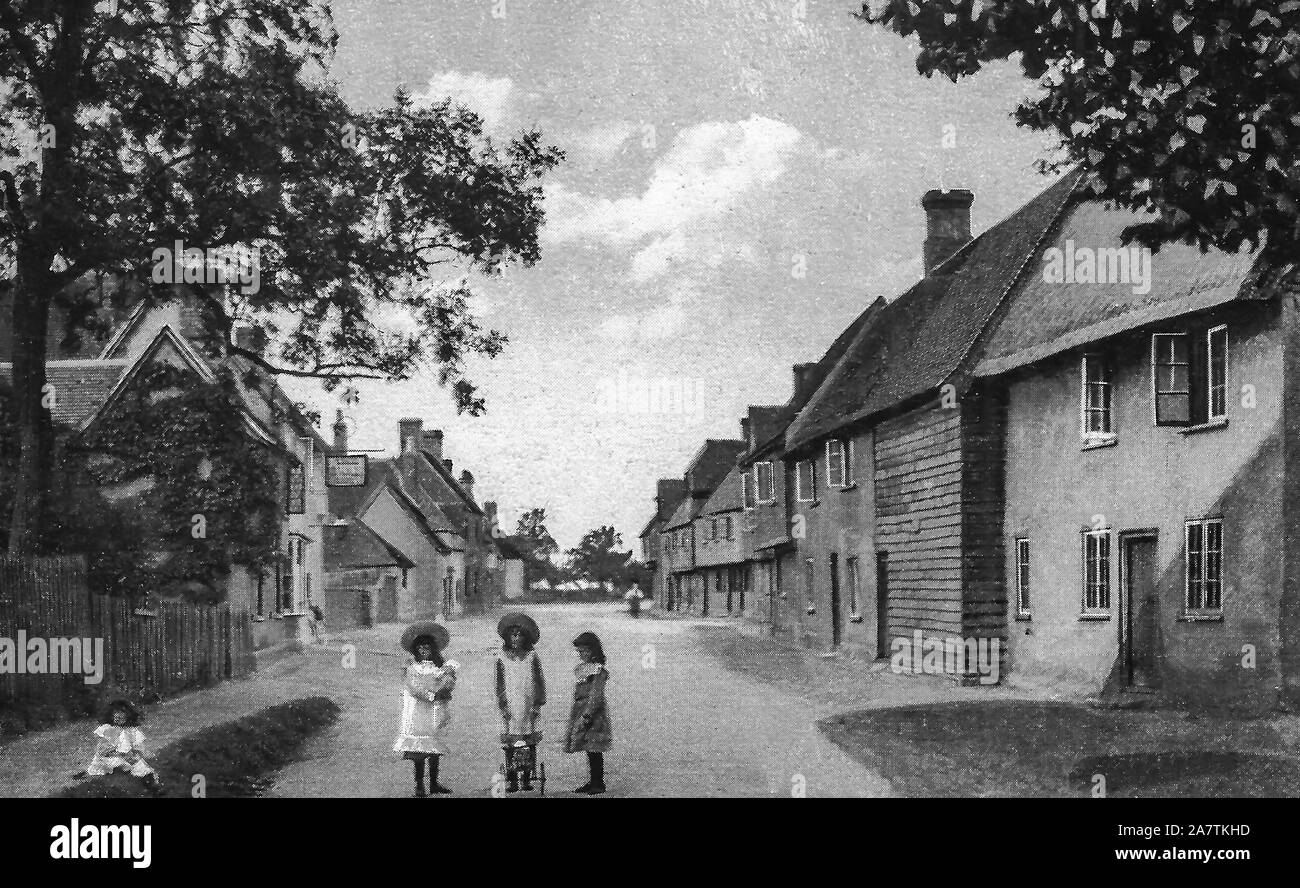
<point>1190,376</point>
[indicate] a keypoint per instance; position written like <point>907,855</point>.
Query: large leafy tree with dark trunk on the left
<point>137,124</point>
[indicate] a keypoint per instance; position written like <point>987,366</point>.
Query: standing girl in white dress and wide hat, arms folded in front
<point>426,703</point>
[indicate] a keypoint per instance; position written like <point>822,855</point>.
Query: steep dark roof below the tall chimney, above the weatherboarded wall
<point>925,337</point>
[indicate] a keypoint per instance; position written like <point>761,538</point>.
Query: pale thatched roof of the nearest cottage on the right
<point>1046,319</point>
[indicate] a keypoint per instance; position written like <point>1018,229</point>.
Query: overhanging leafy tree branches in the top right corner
<point>1184,109</point>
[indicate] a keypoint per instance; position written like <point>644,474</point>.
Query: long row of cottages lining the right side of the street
<point>1074,453</point>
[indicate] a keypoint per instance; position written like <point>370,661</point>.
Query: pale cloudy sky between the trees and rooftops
<point>743,179</point>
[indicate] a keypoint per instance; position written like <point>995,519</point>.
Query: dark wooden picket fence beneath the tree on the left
<point>162,649</point>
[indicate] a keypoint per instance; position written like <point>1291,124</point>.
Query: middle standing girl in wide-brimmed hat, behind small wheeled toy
<point>521,696</point>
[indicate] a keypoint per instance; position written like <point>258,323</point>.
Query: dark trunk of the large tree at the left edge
<point>36,439</point>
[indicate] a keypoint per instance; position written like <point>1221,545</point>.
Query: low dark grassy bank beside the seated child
<point>236,759</point>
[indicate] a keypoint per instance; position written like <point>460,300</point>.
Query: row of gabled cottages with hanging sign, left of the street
<point>365,540</point>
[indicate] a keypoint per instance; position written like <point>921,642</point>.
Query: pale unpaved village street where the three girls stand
<point>686,727</point>
